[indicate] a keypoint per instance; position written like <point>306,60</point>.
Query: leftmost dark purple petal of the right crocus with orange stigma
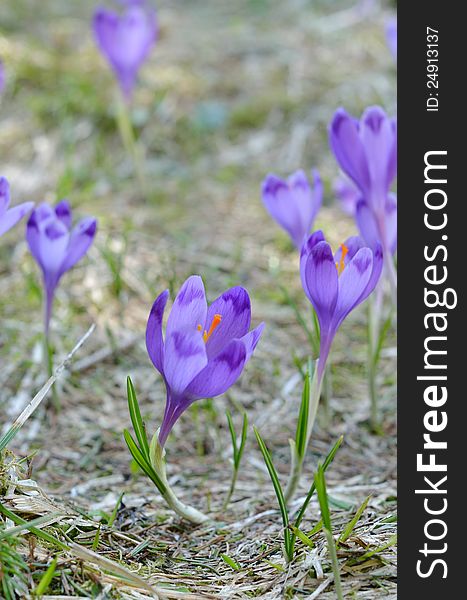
<point>319,279</point>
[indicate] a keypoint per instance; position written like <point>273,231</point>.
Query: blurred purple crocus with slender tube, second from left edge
<point>57,246</point>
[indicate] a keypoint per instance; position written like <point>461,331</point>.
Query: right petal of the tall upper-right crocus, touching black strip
<point>378,138</point>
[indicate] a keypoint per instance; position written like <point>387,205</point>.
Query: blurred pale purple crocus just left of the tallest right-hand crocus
<point>292,203</point>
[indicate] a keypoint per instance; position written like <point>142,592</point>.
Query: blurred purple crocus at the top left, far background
<point>126,39</point>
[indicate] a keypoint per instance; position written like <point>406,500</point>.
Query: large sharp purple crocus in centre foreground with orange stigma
<point>205,348</point>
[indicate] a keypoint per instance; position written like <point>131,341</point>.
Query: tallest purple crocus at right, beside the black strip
<point>366,151</point>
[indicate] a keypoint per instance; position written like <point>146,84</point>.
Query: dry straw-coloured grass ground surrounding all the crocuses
<point>230,94</point>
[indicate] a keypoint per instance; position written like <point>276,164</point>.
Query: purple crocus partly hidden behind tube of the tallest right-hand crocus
<point>354,205</point>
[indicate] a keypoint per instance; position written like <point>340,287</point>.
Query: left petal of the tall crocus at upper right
<point>348,149</point>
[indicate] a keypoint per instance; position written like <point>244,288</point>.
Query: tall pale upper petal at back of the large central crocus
<point>189,308</point>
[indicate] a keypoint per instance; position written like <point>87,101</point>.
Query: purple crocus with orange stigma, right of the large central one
<point>336,283</point>
